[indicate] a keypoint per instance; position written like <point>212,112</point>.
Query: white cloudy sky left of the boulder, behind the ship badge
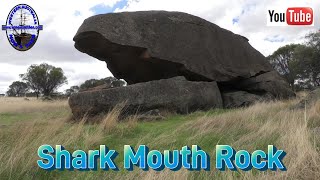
<point>55,45</point>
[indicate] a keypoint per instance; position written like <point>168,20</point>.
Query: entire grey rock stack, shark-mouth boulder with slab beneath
<point>173,60</point>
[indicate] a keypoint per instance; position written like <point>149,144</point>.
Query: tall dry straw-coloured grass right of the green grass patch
<point>296,131</point>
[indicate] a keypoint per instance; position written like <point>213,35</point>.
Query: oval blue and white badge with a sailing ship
<point>22,27</point>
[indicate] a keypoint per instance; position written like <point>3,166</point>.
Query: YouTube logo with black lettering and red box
<point>293,16</point>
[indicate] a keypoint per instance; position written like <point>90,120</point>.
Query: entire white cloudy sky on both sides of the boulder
<point>60,20</point>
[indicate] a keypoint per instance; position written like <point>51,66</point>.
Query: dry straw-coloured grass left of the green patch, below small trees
<point>19,142</point>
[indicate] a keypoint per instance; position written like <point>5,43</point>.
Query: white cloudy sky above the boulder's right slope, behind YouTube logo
<point>251,15</point>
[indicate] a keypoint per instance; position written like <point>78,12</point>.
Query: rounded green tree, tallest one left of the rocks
<point>44,78</point>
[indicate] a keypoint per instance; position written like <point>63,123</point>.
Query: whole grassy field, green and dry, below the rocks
<point>26,125</point>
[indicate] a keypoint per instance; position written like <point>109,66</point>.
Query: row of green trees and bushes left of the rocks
<point>45,79</point>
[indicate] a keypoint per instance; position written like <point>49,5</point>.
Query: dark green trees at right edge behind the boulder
<point>299,64</point>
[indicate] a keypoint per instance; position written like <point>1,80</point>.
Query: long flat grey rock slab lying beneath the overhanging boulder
<point>175,94</point>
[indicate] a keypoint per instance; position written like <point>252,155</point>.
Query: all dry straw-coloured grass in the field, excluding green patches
<point>293,130</point>
